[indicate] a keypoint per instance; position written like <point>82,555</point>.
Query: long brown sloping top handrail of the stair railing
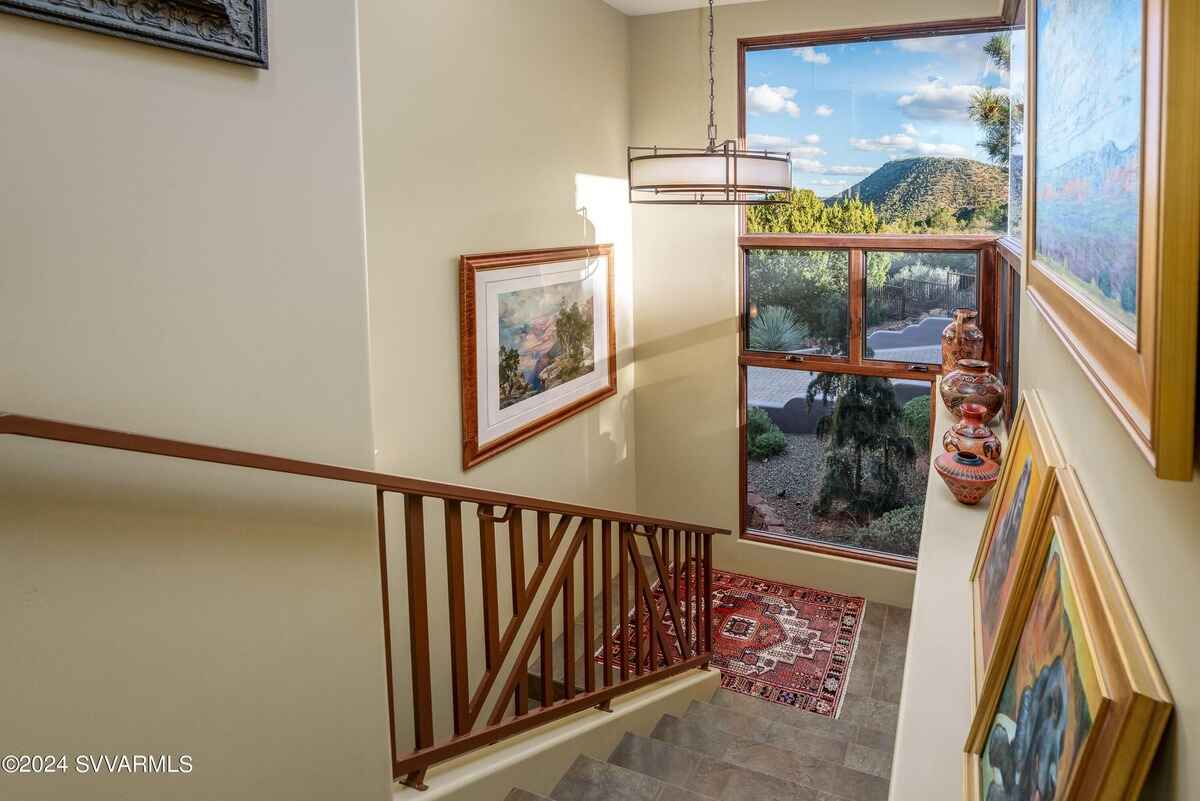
<point>77,435</point>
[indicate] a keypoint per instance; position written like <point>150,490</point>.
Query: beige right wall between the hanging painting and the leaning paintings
<point>1153,528</point>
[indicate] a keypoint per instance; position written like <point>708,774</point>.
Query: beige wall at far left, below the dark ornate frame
<point>182,254</point>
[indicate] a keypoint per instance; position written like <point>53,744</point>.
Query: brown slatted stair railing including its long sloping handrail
<point>664,616</point>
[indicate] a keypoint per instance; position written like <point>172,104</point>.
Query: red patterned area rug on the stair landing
<point>788,645</point>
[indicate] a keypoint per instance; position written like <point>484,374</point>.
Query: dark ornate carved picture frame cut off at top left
<point>233,31</point>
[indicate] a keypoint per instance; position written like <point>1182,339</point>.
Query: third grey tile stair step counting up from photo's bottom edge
<point>705,775</point>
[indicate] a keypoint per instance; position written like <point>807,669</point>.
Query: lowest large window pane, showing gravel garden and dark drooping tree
<point>837,460</point>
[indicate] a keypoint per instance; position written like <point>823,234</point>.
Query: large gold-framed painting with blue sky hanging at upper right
<point>1114,234</point>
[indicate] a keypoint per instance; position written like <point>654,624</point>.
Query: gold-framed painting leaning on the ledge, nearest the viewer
<point>1076,708</point>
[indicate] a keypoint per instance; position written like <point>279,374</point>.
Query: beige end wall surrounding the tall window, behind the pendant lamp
<point>686,284</point>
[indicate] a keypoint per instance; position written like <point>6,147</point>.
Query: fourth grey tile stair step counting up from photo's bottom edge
<point>772,761</point>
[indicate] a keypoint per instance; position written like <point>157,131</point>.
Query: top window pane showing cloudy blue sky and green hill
<point>905,136</point>
